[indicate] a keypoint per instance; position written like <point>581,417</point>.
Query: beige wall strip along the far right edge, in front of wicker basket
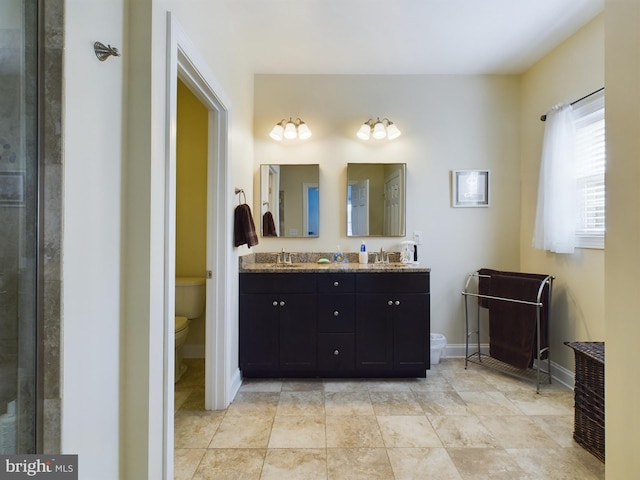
<point>622,390</point>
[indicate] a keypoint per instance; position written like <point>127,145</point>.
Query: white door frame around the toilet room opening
<point>184,61</point>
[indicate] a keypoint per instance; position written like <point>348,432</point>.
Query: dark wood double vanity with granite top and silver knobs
<point>340,320</point>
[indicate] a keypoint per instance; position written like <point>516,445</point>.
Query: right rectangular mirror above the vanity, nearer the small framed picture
<point>376,199</point>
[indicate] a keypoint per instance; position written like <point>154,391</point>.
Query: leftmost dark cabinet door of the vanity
<point>259,341</point>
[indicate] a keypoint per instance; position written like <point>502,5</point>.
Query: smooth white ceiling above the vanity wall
<point>404,36</point>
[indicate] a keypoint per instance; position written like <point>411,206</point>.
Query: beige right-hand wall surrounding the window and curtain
<point>569,72</point>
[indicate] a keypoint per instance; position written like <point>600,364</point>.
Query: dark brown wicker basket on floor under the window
<point>589,396</point>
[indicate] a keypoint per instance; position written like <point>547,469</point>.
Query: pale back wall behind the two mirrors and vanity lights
<point>448,122</point>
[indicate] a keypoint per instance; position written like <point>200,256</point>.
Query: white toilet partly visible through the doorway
<point>190,299</point>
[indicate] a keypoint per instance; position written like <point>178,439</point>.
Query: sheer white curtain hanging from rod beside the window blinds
<point>556,211</point>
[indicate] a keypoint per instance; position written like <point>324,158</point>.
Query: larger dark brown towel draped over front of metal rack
<point>512,325</point>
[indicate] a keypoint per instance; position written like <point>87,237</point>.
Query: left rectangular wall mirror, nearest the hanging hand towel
<point>289,200</point>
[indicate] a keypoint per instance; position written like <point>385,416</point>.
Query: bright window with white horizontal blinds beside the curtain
<point>590,165</point>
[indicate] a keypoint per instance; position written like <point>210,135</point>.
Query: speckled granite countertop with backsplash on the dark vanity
<point>307,263</point>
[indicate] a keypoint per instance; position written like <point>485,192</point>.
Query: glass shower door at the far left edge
<point>18,224</point>
